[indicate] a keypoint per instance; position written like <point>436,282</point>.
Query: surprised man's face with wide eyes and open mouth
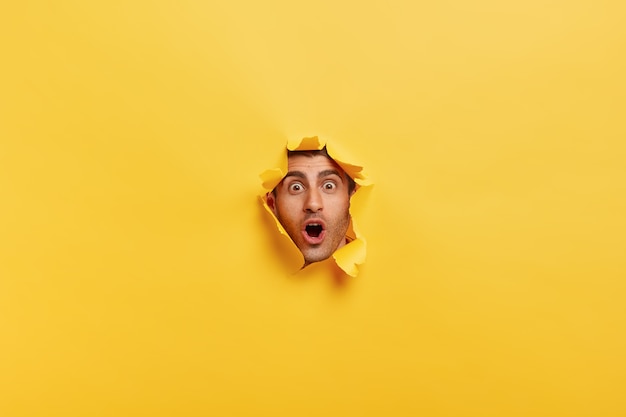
<point>312,203</point>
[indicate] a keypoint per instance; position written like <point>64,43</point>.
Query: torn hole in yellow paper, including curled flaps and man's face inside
<point>309,195</point>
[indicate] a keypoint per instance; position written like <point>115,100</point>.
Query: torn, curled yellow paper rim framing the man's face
<point>352,253</point>
